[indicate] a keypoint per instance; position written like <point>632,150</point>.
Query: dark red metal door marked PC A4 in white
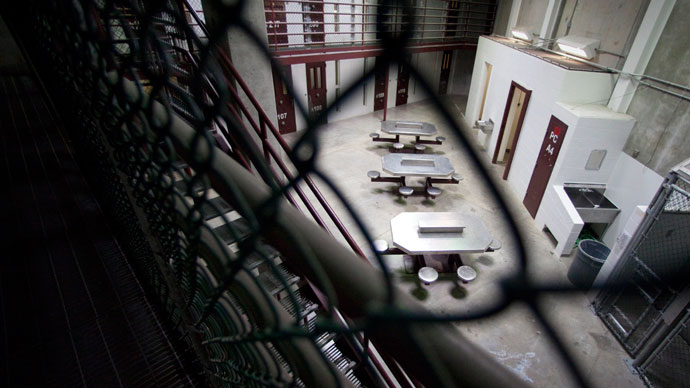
<point>548,154</point>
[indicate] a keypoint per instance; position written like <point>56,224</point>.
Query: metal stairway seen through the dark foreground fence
<point>278,281</point>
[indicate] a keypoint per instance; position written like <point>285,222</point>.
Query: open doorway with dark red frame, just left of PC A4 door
<point>511,125</point>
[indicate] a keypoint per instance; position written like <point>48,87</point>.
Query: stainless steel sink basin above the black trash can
<point>592,205</point>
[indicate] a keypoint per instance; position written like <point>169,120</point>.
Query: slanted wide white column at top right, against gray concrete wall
<point>641,51</point>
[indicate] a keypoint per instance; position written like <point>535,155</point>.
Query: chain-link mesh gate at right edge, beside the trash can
<point>640,310</point>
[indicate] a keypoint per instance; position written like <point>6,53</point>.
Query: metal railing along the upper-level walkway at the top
<point>312,24</point>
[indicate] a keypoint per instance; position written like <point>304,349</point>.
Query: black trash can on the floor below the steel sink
<point>590,256</point>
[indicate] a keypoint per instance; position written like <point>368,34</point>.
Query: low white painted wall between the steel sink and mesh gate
<point>631,184</point>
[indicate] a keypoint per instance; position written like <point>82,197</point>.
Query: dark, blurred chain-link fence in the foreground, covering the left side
<point>262,296</point>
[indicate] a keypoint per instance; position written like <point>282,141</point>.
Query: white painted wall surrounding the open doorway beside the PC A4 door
<point>548,83</point>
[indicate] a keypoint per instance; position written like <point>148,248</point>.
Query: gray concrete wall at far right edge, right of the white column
<point>661,136</point>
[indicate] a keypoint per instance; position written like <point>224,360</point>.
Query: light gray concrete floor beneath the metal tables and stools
<point>513,336</point>
